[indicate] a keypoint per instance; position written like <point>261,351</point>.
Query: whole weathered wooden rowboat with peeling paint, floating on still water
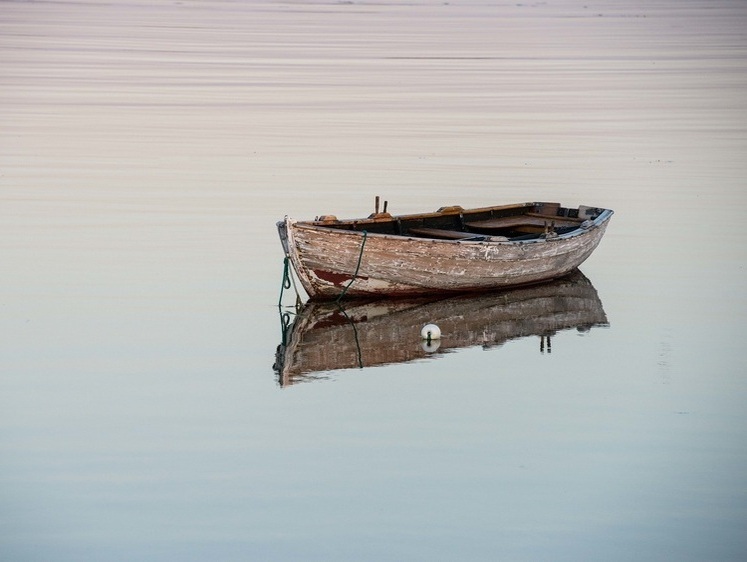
<point>451,250</point>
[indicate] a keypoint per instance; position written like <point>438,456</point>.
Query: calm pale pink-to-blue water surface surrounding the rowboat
<point>146,150</point>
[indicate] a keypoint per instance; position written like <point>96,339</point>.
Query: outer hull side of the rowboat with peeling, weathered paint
<point>330,262</point>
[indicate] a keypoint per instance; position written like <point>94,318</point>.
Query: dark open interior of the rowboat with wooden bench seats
<point>523,221</point>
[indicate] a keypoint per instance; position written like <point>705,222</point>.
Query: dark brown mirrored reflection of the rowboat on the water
<point>328,336</point>
